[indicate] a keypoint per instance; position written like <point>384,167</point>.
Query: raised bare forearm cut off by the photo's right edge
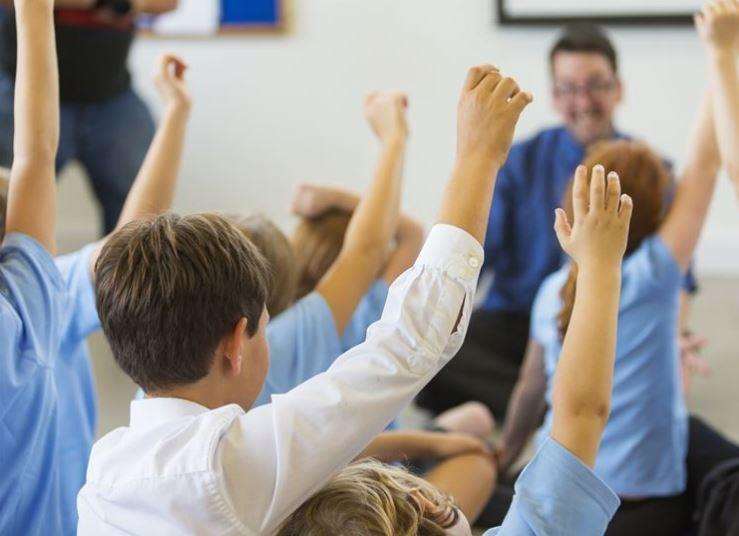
<point>725,82</point>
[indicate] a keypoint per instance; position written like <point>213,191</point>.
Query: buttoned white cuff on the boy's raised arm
<point>454,251</point>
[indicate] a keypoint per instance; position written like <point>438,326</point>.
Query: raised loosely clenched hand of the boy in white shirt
<point>488,111</point>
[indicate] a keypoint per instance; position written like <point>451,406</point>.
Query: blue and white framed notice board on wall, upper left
<point>213,17</point>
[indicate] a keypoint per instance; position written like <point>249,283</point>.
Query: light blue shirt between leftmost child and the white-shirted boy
<point>76,405</point>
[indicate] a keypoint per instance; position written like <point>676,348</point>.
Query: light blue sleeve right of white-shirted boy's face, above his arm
<point>303,342</point>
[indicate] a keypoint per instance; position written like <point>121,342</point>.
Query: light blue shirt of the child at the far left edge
<point>32,311</point>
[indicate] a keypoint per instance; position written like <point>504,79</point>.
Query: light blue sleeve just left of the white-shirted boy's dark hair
<point>82,316</point>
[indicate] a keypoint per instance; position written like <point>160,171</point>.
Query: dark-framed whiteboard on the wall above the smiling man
<point>543,12</point>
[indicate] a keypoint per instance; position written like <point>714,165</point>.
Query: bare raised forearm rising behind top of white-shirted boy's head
<point>154,188</point>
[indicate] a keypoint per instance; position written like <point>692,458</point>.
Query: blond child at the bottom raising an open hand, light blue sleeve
<point>557,494</point>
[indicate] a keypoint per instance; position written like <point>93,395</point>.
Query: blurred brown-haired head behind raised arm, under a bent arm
<point>317,243</point>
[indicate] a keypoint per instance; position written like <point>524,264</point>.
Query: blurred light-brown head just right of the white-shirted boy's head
<point>276,249</point>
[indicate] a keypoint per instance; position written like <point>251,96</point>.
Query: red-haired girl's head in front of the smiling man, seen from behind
<point>645,178</point>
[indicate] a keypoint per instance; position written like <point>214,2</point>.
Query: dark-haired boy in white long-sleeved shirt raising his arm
<point>182,301</point>
